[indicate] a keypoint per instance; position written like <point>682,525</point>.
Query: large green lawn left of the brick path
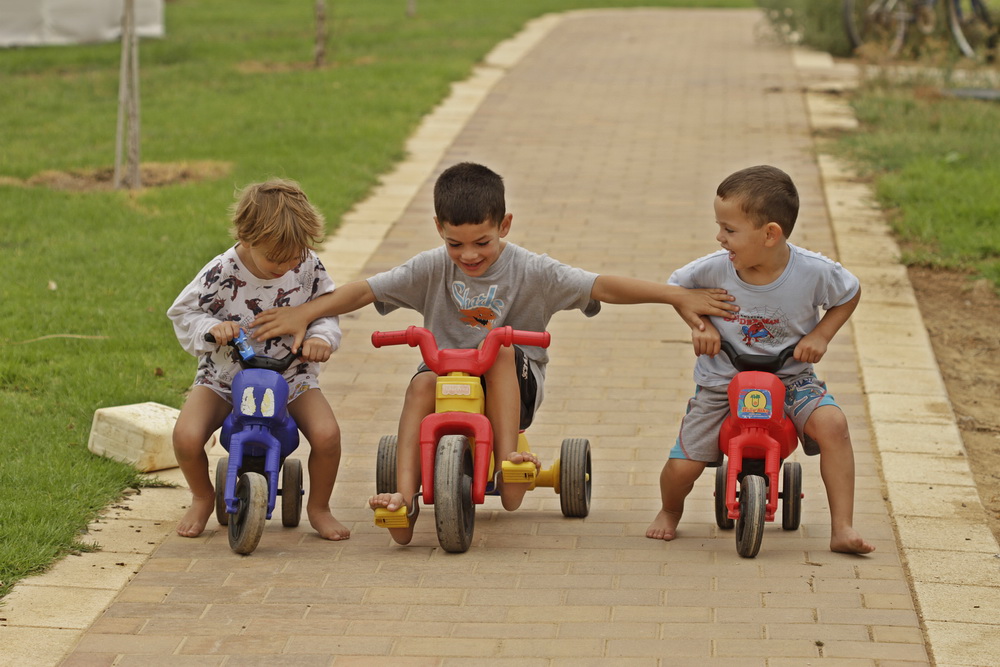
<point>230,83</point>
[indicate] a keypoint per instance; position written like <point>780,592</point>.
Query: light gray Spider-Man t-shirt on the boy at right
<point>772,316</point>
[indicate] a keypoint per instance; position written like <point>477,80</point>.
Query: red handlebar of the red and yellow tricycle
<point>472,361</point>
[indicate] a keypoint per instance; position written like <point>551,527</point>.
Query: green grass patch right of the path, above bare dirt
<point>933,160</point>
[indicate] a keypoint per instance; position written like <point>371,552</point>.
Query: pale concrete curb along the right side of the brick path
<point>949,552</point>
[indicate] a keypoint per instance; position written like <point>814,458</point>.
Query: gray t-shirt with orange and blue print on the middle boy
<point>522,290</point>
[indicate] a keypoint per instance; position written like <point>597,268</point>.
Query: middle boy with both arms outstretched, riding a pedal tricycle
<point>474,282</point>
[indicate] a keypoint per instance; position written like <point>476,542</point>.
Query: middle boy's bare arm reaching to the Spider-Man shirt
<point>689,303</point>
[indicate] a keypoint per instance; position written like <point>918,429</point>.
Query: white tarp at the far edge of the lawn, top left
<point>43,22</point>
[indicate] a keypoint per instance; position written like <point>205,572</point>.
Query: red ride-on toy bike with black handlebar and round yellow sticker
<point>756,437</point>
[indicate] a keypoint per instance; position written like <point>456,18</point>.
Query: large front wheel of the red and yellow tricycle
<point>454,511</point>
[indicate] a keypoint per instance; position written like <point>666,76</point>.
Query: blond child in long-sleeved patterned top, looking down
<point>272,264</point>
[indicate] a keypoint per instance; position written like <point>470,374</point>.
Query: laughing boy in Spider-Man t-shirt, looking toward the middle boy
<point>780,288</point>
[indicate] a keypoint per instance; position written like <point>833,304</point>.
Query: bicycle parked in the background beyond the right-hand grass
<point>880,28</point>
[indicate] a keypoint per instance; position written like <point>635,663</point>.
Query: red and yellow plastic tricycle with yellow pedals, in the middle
<point>456,442</point>
